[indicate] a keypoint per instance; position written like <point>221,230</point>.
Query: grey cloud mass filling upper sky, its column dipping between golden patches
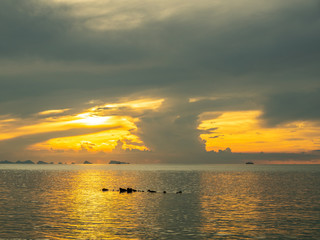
<point>250,55</point>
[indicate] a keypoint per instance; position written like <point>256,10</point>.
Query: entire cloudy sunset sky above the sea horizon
<point>143,81</point>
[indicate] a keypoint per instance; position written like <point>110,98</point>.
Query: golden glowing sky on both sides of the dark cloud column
<point>109,127</point>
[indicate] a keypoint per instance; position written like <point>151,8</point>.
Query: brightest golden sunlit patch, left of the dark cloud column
<point>101,128</point>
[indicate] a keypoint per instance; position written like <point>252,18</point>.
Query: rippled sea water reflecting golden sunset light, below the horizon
<point>217,202</point>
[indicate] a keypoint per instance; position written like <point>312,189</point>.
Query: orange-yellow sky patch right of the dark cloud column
<point>243,131</point>
